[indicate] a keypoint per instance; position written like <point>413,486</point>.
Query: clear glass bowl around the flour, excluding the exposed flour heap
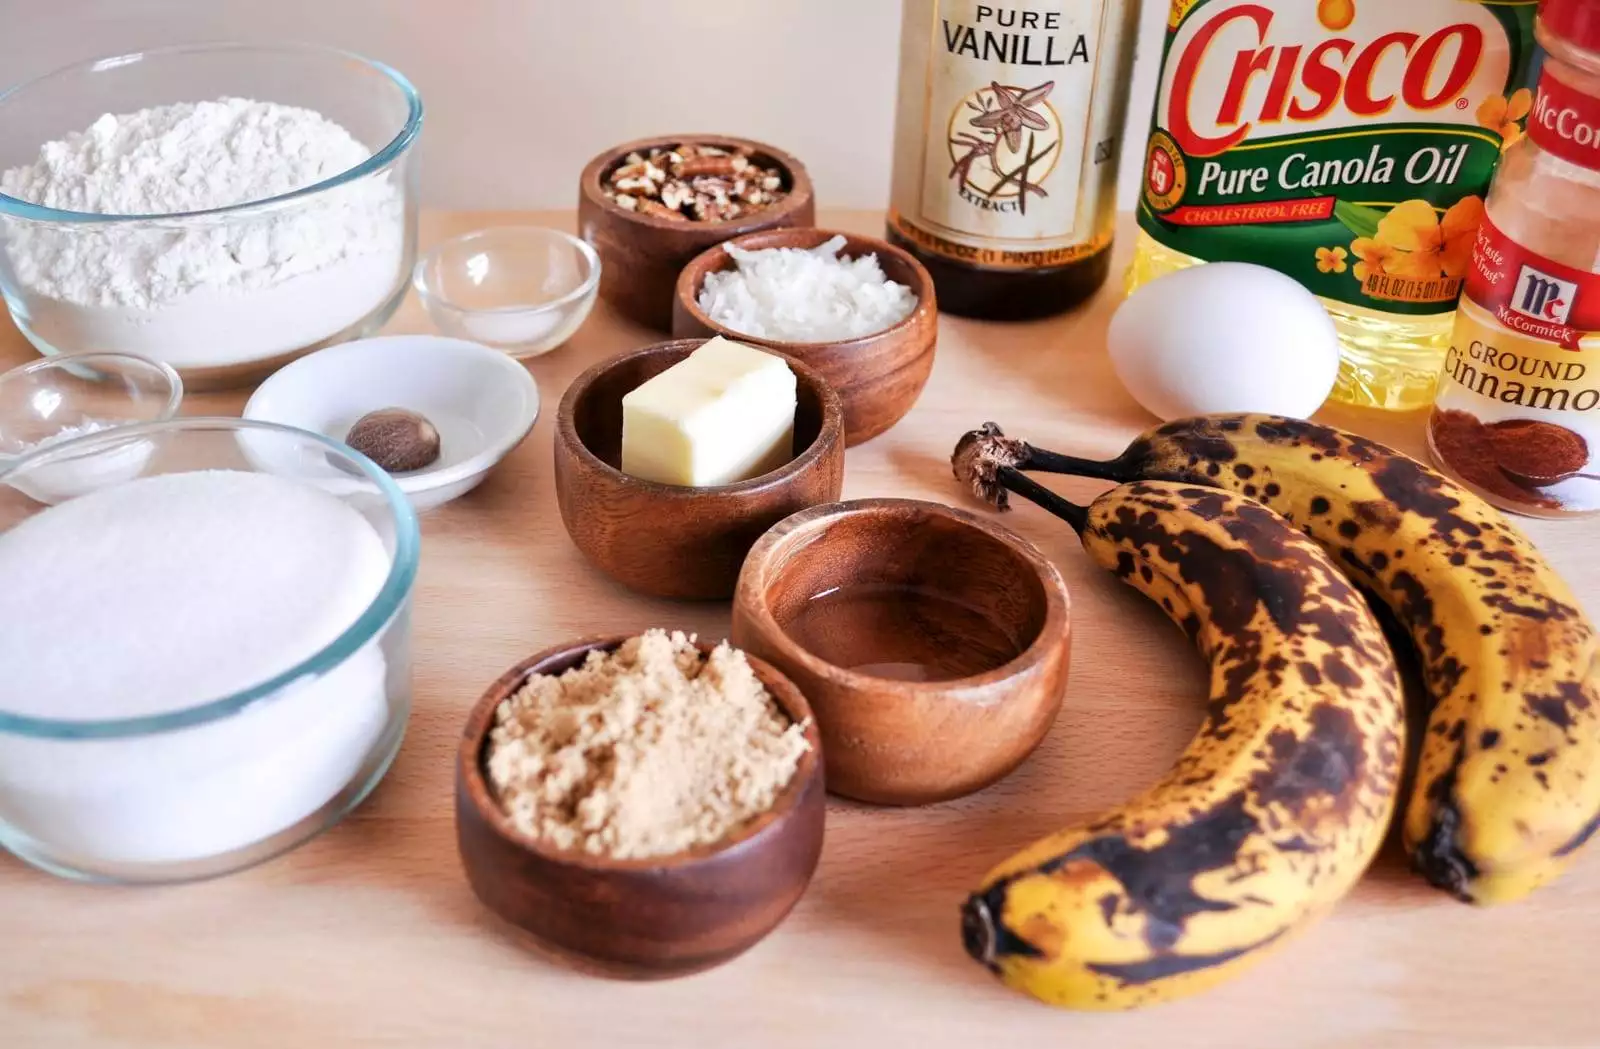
<point>225,297</point>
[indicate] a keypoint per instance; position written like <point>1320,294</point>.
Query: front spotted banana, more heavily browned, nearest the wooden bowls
<point>1271,815</point>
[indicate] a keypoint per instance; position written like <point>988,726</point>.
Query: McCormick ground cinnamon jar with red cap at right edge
<point>1519,407</point>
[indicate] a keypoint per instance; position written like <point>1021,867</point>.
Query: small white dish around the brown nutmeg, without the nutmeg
<point>482,402</point>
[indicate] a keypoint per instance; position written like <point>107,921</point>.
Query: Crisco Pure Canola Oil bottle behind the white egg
<point>1346,143</point>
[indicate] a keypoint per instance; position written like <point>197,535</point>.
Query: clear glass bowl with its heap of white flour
<point>220,209</point>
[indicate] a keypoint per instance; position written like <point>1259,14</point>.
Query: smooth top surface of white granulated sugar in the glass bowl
<point>172,591</point>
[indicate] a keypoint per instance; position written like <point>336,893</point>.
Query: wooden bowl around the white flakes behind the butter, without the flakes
<point>879,377</point>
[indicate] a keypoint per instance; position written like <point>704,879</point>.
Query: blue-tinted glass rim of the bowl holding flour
<point>382,159</point>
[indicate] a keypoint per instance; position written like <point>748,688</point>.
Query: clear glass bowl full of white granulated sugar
<point>206,664</point>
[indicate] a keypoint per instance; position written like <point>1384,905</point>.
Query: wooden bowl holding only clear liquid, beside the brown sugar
<point>914,591</point>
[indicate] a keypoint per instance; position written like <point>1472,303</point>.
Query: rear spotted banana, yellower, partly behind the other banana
<point>1508,784</point>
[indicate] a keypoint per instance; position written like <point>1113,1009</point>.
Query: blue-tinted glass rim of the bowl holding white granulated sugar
<point>377,616</point>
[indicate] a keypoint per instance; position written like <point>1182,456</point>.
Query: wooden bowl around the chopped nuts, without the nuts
<point>641,257</point>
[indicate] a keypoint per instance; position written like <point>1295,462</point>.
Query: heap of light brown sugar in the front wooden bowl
<point>647,751</point>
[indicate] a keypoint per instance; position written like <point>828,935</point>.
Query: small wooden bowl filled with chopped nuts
<point>644,249</point>
